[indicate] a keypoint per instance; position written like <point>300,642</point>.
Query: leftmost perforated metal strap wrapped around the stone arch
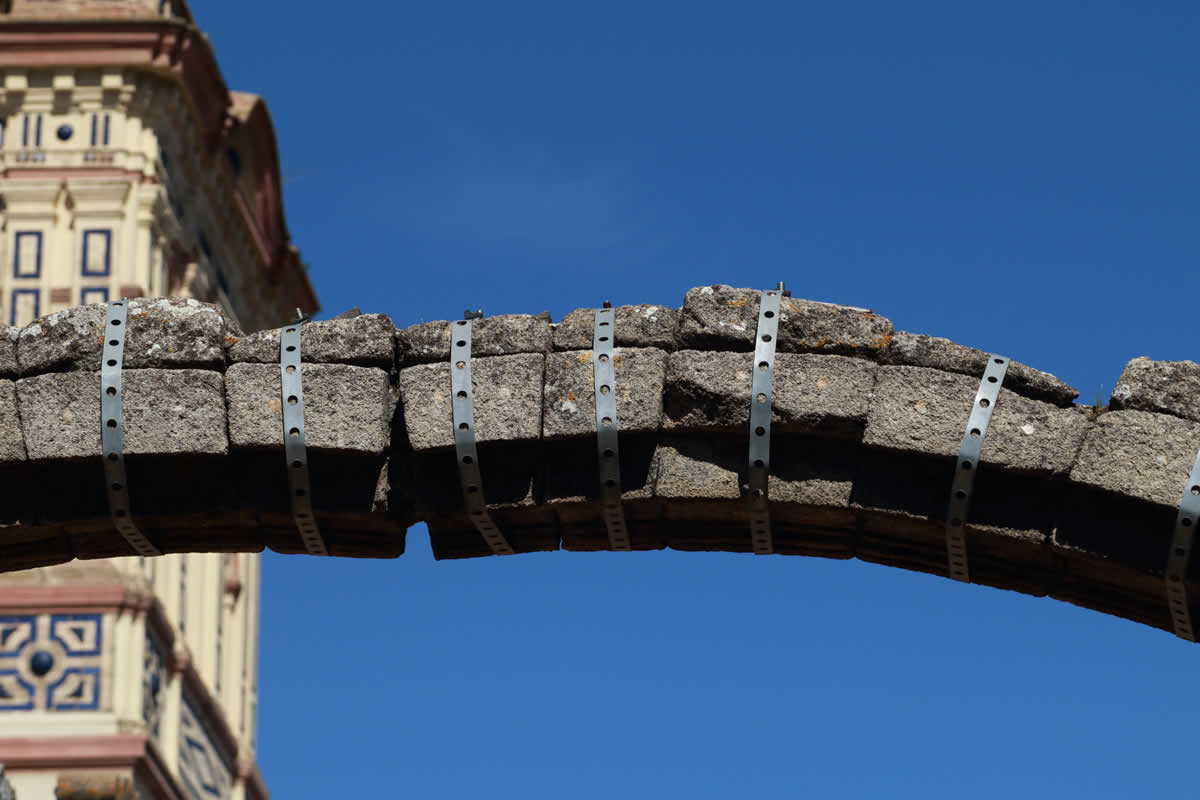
<point>112,425</point>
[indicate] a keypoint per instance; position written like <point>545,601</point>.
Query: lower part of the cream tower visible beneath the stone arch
<point>152,675</point>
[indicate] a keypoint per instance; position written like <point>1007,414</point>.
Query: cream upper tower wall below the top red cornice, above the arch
<point>106,197</point>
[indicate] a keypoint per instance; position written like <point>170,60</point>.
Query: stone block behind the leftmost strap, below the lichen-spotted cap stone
<point>167,412</point>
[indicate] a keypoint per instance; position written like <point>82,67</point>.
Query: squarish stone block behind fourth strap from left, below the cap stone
<point>571,393</point>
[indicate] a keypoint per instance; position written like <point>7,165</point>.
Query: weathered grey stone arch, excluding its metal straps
<point>1070,502</point>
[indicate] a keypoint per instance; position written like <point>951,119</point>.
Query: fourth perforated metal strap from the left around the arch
<point>604,336</point>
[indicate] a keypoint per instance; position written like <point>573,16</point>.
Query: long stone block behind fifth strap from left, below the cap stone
<point>826,395</point>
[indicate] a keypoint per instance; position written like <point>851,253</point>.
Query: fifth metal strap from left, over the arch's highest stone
<point>761,389</point>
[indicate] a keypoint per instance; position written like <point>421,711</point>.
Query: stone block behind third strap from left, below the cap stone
<point>507,394</point>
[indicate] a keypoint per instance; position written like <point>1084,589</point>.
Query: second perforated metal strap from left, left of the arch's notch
<point>296,450</point>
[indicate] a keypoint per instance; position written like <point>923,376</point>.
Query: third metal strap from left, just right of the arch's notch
<point>465,438</point>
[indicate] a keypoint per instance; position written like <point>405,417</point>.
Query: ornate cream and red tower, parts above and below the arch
<point>128,169</point>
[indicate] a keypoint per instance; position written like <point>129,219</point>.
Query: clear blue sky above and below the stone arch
<point>1018,177</point>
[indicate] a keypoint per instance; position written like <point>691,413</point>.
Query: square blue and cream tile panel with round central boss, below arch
<point>51,663</point>
